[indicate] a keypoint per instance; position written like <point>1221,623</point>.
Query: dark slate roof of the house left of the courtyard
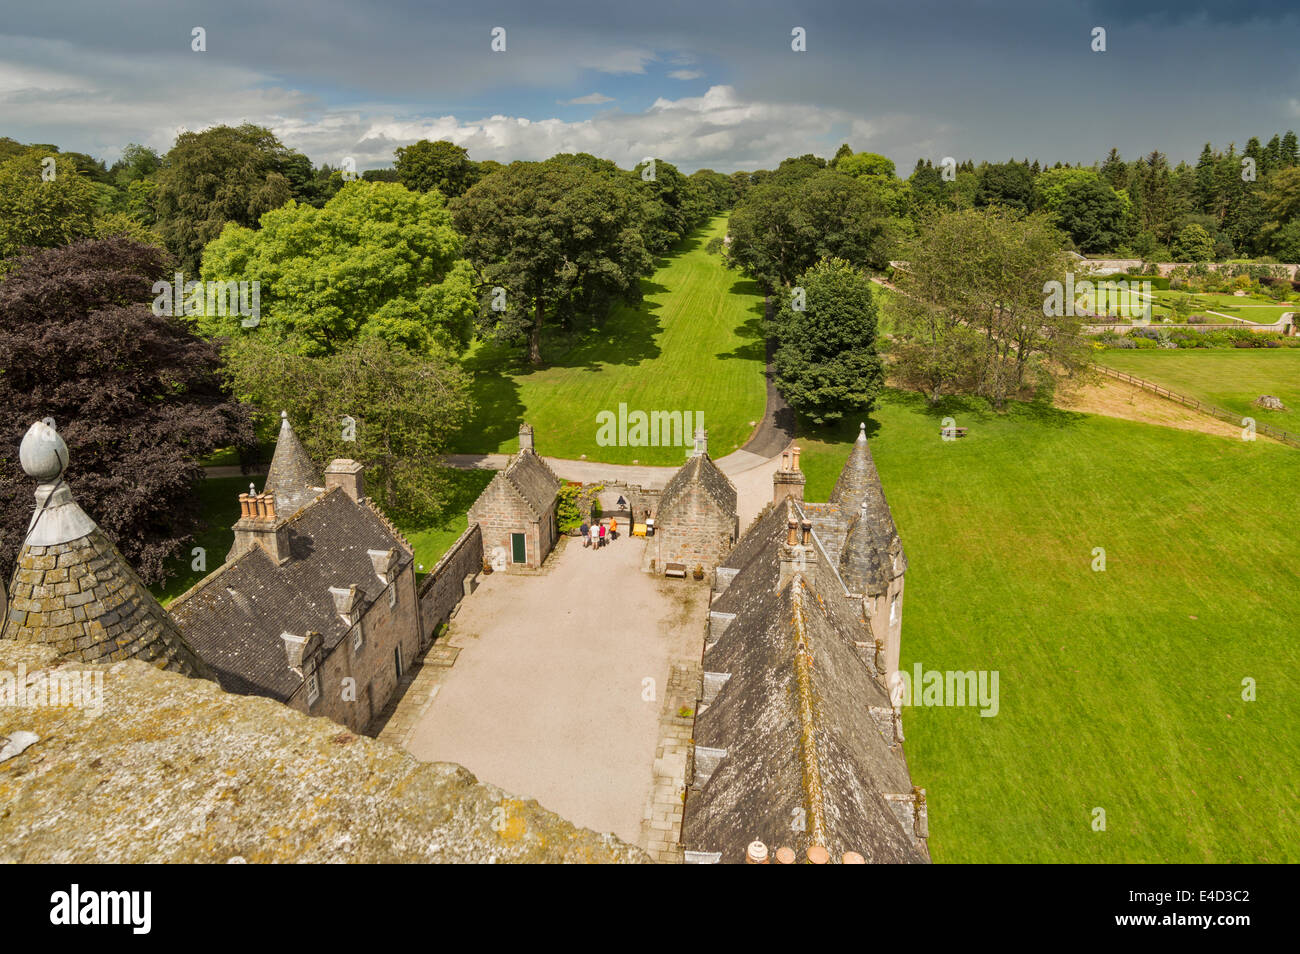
<point>235,618</point>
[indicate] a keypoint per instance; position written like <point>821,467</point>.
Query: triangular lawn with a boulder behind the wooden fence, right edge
<point>1229,378</point>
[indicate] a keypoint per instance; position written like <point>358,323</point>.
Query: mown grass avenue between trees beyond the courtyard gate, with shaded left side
<point>695,345</point>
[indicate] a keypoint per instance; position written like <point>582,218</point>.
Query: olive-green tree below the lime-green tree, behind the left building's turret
<point>406,409</point>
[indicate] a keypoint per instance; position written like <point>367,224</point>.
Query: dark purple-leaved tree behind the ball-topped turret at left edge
<point>137,396</point>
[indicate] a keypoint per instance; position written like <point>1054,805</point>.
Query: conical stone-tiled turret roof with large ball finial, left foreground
<point>73,589</point>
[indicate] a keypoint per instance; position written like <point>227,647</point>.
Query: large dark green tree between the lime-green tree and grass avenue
<point>558,241</point>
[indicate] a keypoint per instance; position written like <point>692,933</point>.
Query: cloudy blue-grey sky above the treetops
<point>707,84</point>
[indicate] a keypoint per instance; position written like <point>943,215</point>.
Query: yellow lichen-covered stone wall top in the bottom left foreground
<point>170,769</point>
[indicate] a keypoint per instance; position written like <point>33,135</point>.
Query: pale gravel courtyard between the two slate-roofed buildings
<point>549,697</point>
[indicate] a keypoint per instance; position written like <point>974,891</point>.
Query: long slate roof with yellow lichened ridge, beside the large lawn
<point>794,717</point>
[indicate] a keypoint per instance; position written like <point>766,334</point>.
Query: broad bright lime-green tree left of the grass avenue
<point>376,262</point>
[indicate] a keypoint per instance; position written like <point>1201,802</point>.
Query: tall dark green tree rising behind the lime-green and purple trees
<point>223,175</point>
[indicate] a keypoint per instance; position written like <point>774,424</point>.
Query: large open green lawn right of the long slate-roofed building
<point>1119,690</point>
